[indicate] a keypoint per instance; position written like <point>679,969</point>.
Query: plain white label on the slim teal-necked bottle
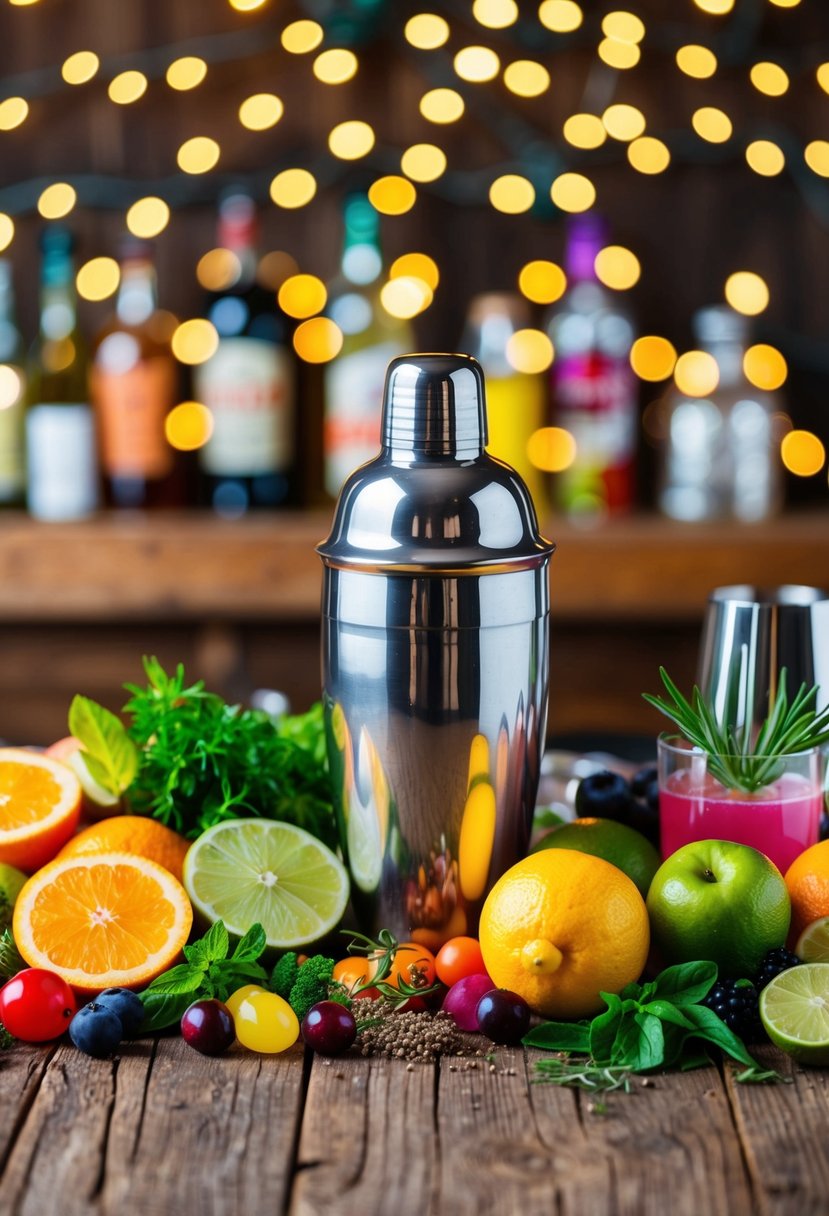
<point>63,461</point>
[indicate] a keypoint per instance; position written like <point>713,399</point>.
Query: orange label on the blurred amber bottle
<point>132,408</point>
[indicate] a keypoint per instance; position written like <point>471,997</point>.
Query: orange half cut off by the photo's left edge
<point>40,808</point>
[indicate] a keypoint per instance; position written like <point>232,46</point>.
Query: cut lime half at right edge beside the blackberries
<point>794,1010</point>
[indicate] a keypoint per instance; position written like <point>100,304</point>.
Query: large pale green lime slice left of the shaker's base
<point>244,871</point>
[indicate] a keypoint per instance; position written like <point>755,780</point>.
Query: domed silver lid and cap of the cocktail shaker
<point>433,500</point>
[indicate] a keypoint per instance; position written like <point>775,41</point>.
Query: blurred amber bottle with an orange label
<point>134,385</point>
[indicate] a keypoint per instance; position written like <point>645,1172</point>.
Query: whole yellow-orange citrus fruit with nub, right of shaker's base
<point>560,928</point>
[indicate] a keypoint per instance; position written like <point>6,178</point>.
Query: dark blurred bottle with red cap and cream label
<point>250,385</point>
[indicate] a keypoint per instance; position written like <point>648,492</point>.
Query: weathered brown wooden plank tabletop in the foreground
<point>162,1130</point>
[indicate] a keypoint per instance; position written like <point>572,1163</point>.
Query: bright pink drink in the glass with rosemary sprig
<point>781,820</point>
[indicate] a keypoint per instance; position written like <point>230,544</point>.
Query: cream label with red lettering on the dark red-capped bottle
<point>249,389</point>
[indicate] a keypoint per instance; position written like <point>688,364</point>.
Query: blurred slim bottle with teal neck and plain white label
<point>63,480</point>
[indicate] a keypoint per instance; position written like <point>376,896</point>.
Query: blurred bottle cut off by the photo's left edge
<point>13,393</point>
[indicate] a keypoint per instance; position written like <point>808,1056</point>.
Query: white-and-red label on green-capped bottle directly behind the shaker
<point>354,408</point>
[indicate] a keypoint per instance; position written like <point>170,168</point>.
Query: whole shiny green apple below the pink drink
<point>720,902</point>
